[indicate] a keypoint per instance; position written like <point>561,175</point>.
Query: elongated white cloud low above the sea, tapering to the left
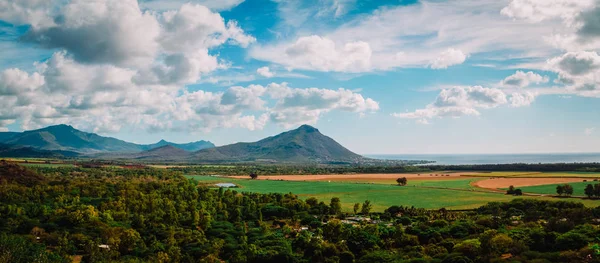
<point>457,102</point>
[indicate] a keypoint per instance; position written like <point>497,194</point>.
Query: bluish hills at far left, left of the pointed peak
<point>66,138</point>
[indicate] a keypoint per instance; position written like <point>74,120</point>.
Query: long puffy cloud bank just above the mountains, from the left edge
<point>106,98</point>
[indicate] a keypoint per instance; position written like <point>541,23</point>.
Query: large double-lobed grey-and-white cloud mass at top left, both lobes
<point>117,32</point>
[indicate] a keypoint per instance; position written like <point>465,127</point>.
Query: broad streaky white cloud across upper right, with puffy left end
<point>415,35</point>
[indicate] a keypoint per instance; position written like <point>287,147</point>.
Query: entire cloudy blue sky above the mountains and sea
<point>380,77</point>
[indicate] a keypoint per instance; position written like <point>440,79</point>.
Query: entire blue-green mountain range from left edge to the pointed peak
<point>302,145</point>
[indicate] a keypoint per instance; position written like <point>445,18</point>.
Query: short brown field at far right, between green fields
<point>497,183</point>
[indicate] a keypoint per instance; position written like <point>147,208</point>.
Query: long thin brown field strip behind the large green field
<point>362,177</point>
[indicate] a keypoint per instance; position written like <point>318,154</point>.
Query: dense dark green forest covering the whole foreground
<point>149,215</point>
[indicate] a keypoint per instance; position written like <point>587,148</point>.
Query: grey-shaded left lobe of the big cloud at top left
<point>104,31</point>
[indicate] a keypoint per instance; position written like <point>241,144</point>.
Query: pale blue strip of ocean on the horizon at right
<point>456,159</point>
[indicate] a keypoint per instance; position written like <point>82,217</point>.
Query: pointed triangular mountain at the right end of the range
<point>303,145</point>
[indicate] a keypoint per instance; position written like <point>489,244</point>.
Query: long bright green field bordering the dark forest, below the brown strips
<point>382,196</point>
